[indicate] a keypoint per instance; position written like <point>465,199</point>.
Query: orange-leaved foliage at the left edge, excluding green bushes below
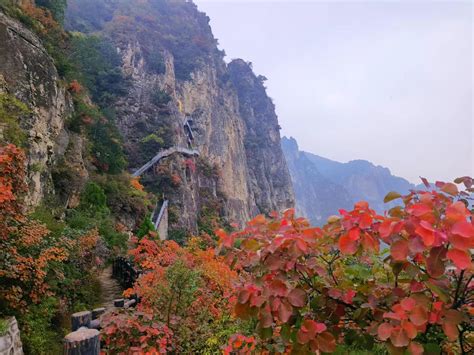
<point>27,250</point>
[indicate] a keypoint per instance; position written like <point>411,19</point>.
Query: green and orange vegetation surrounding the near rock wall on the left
<point>51,257</point>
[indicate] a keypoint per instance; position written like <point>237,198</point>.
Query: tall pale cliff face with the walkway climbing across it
<point>176,74</point>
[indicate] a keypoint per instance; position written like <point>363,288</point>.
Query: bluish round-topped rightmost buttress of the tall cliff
<point>269,179</point>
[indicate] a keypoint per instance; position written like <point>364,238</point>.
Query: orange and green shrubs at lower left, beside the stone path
<point>40,270</point>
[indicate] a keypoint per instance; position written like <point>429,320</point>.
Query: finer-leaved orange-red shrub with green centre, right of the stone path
<point>187,291</point>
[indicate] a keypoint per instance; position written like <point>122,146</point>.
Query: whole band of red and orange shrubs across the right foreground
<point>397,283</point>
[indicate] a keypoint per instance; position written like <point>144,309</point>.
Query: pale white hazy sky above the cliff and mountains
<point>386,81</point>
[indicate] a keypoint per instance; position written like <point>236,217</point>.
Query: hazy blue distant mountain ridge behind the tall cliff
<point>323,186</point>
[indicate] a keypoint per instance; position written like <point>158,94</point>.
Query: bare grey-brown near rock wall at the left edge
<point>28,74</point>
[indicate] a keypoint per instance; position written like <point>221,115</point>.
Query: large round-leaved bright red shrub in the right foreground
<point>397,279</point>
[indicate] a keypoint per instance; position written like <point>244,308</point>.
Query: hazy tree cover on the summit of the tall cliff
<point>173,26</point>
